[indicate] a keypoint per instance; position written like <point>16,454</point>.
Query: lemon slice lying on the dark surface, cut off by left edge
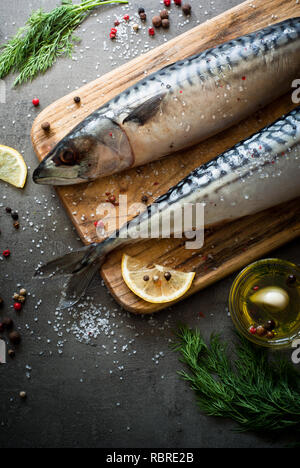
<point>12,167</point>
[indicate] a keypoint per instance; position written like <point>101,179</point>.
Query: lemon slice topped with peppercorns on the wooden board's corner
<point>157,284</point>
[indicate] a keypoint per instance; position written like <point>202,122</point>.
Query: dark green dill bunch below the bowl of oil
<point>254,391</point>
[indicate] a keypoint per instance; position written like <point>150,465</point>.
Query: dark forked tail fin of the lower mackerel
<point>79,267</point>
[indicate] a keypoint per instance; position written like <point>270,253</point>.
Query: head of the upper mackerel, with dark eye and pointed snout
<point>96,146</point>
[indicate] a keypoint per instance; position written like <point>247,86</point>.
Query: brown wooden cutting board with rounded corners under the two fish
<point>227,249</point>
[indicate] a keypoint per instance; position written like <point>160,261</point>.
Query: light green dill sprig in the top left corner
<point>44,38</point>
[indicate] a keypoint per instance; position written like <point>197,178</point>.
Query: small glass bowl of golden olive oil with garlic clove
<point>264,302</point>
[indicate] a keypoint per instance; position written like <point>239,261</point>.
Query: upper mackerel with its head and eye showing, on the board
<point>178,106</point>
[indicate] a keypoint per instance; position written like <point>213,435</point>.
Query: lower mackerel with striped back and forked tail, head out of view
<point>256,174</point>
